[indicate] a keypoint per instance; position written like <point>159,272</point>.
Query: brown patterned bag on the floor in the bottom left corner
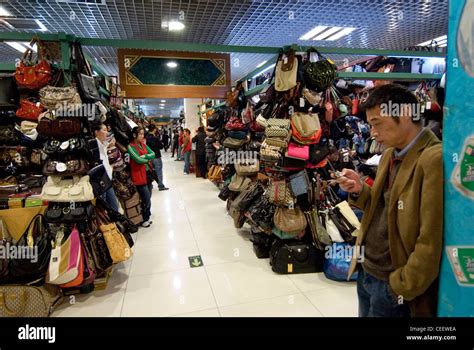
<point>29,301</point>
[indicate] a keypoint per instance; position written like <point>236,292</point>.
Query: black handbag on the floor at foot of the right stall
<point>289,257</point>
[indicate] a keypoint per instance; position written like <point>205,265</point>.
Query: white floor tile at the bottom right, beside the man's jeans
<point>335,301</point>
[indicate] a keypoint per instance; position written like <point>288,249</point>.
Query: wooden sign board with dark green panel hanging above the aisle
<point>173,74</point>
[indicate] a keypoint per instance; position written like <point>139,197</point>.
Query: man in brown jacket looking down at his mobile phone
<point>402,226</point>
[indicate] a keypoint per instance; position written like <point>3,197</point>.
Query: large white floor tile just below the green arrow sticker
<point>168,294</point>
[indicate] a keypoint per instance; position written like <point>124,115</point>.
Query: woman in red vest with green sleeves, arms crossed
<point>140,157</point>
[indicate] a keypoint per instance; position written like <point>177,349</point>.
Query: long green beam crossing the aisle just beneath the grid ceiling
<point>195,47</point>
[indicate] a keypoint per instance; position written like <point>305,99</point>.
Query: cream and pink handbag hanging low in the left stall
<point>66,259</point>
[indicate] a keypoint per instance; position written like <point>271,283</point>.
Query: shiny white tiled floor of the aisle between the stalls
<point>190,220</point>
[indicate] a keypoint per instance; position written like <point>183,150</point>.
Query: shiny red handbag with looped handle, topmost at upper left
<point>31,75</point>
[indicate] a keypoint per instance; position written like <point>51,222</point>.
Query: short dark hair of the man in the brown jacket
<point>394,94</point>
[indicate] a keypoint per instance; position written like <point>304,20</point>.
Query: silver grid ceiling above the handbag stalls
<point>390,24</point>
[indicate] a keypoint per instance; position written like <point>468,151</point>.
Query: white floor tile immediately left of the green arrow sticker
<point>153,259</point>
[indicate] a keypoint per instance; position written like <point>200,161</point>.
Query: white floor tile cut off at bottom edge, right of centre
<point>294,305</point>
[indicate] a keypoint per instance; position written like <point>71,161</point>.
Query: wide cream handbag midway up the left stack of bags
<point>78,189</point>
